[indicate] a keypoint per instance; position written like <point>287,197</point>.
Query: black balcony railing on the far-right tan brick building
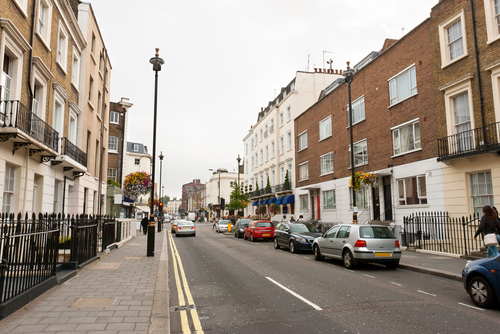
<point>469,142</point>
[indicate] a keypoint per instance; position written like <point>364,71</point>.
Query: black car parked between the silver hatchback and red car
<point>295,236</point>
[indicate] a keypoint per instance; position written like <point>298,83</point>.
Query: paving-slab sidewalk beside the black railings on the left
<point>113,295</point>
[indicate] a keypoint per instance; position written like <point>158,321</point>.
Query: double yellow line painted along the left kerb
<point>182,285</point>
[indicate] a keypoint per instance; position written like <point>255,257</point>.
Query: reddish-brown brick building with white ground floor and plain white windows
<point>394,136</point>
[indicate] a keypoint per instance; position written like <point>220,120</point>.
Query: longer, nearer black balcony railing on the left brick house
<point>14,114</point>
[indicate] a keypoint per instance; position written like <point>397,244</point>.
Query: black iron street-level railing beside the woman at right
<point>437,231</point>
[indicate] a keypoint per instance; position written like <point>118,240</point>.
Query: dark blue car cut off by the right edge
<point>482,281</point>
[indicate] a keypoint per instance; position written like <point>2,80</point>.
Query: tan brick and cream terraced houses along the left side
<point>50,140</point>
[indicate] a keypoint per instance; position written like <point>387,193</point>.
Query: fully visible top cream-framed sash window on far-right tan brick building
<point>452,39</point>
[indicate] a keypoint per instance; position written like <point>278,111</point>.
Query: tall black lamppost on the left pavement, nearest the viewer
<point>156,61</point>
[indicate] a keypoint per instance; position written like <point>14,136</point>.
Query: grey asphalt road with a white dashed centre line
<point>239,287</point>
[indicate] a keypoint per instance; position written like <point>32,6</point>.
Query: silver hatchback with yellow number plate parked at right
<point>355,243</point>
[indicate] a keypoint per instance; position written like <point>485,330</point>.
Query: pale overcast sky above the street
<point>224,60</point>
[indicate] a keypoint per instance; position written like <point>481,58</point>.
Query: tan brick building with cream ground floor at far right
<point>466,61</point>
